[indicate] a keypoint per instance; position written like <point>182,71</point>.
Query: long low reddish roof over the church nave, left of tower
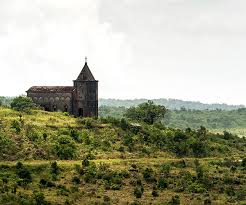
<point>51,89</point>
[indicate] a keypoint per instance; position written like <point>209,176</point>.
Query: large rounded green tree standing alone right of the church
<point>147,112</point>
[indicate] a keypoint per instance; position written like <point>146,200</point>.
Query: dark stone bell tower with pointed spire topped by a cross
<point>85,94</point>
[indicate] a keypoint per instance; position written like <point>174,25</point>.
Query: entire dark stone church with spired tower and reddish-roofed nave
<point>80,100</point>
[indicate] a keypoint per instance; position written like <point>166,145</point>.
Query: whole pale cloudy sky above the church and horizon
<point>182,49</point>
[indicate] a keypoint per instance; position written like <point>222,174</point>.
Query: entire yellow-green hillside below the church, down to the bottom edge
<point>109,161</point>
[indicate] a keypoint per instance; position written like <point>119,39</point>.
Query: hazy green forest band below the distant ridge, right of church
<point>211,119</point>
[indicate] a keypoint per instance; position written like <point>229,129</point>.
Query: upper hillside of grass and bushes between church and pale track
<point>44,135</point>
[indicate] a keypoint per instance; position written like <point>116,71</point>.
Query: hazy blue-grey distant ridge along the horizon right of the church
<point>172,104</point>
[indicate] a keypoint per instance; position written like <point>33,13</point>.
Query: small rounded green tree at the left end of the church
<point>22,103</point>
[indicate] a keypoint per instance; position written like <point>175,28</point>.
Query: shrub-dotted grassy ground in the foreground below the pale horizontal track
<point>145,181</point>
